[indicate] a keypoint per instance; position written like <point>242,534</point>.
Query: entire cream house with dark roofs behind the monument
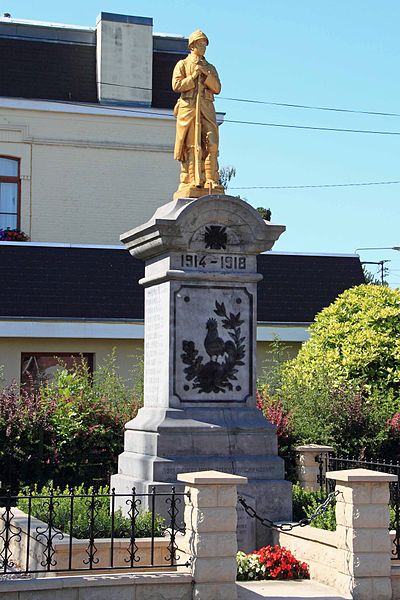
<point>86,152</point>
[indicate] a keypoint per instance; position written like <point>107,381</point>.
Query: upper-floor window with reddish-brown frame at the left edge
<point>9,193</point>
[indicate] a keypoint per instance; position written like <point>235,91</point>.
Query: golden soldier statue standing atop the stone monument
<point>196,143</point>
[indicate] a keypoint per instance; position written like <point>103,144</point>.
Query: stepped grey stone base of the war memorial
<point>162,443</point>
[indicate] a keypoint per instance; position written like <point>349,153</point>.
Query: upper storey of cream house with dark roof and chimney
<point>86,127</point>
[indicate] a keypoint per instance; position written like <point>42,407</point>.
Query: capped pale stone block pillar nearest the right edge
<point>364,546</point>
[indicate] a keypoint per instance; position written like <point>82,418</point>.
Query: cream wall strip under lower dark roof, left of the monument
<point>11,349</point>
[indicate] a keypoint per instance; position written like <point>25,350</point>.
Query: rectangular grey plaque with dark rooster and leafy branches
<point>213,354</point>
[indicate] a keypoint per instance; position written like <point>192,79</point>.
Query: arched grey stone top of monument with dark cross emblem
<point>224,223</point>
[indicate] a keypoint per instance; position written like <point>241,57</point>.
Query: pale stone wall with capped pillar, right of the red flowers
<point>356,558</point>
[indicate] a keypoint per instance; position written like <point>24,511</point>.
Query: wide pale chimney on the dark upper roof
<point>124,59</point>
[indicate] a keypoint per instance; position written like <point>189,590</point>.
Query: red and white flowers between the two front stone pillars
<point>270,562</point>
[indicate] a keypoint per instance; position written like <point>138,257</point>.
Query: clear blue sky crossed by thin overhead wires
<point>335,54</point>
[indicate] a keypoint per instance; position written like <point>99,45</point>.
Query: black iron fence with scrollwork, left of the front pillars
<point>90,532</point>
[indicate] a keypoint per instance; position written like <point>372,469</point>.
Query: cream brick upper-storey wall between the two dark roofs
<point>87,178</point>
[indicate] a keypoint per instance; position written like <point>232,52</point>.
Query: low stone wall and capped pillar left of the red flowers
<point>209,542</point>
